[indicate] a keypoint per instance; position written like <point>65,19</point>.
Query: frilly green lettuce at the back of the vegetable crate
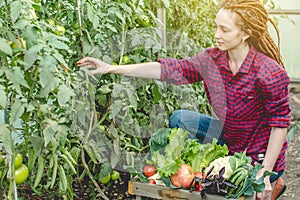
<point>171,147</point>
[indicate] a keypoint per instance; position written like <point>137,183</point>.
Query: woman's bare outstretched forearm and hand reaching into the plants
<point>143,70</point>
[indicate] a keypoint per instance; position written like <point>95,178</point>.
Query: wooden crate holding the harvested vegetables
<point>161,192</point>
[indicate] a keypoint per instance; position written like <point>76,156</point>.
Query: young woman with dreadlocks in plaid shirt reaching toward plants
<point>245,82</point>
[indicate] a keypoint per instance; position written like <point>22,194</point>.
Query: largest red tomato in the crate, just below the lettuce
<point>184,176</point>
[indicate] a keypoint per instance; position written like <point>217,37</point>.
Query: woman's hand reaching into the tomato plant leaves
<point>99,66</point>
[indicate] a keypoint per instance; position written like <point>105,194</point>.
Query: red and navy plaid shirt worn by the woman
<point>250,102</point>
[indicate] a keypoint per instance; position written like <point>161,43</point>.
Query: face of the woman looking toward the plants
<point>228,35</point>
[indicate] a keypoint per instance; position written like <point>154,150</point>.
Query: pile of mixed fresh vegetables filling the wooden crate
<point>178,161</point>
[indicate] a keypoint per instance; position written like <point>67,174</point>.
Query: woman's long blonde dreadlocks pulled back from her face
<point>253,19</point>
